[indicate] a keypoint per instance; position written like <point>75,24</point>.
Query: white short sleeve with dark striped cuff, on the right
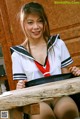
<point>65,55</point>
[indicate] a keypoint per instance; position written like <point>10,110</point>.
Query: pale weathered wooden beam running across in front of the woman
<point>39,93</point>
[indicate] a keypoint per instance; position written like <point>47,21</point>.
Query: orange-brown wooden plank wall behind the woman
<point>63,20</point>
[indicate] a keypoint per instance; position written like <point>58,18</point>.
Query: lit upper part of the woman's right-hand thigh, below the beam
<point>65,105</point>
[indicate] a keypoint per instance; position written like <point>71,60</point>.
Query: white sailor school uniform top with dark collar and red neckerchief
<point>25,66</point>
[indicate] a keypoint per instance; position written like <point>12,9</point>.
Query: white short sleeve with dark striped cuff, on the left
<point>17,69</point>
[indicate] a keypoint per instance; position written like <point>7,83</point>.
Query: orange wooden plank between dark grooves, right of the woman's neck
<point>68,32</point>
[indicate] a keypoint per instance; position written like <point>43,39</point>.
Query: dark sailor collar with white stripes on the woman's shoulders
<point>21,50</point>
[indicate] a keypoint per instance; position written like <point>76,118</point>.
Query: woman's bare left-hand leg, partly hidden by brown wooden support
<point>45,112</point>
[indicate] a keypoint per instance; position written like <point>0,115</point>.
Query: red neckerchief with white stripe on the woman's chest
<point>45,71</point>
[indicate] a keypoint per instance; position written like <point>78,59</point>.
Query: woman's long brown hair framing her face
<point>35,8</point>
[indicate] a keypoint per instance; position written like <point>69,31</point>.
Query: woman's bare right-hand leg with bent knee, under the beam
<point>66,108</point>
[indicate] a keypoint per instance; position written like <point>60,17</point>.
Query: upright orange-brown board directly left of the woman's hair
<point>13,9</point>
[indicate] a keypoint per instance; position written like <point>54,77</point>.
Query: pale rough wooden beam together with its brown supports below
<point>27,100</point>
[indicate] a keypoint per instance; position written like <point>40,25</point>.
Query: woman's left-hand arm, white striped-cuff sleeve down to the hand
<point>18,72</point>
